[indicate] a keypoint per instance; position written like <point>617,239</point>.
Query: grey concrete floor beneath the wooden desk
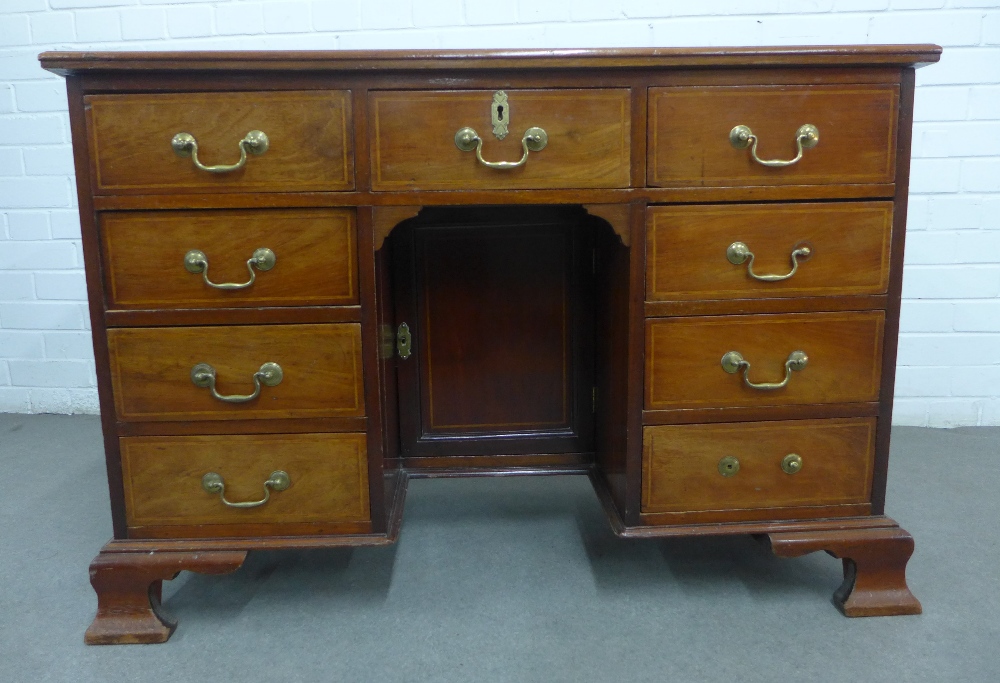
<point>516,579</point>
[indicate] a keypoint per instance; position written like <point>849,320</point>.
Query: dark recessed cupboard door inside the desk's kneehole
<point>498,304</point>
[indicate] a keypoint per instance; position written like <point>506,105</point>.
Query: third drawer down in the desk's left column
<point>152,371</point>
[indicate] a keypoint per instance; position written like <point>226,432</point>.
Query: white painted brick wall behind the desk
<point>949,355</point>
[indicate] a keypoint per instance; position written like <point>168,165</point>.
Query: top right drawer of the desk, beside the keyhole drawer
<point>689,134</point>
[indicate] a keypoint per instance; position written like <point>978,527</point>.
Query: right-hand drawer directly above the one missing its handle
<point>685,369</point>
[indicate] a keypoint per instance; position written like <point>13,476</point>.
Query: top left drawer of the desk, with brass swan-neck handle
<point>309,147</point>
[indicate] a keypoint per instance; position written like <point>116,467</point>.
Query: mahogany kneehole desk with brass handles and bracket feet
<point>314,275</point>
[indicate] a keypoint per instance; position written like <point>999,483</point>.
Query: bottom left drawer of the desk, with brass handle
<point>327,475</point>
